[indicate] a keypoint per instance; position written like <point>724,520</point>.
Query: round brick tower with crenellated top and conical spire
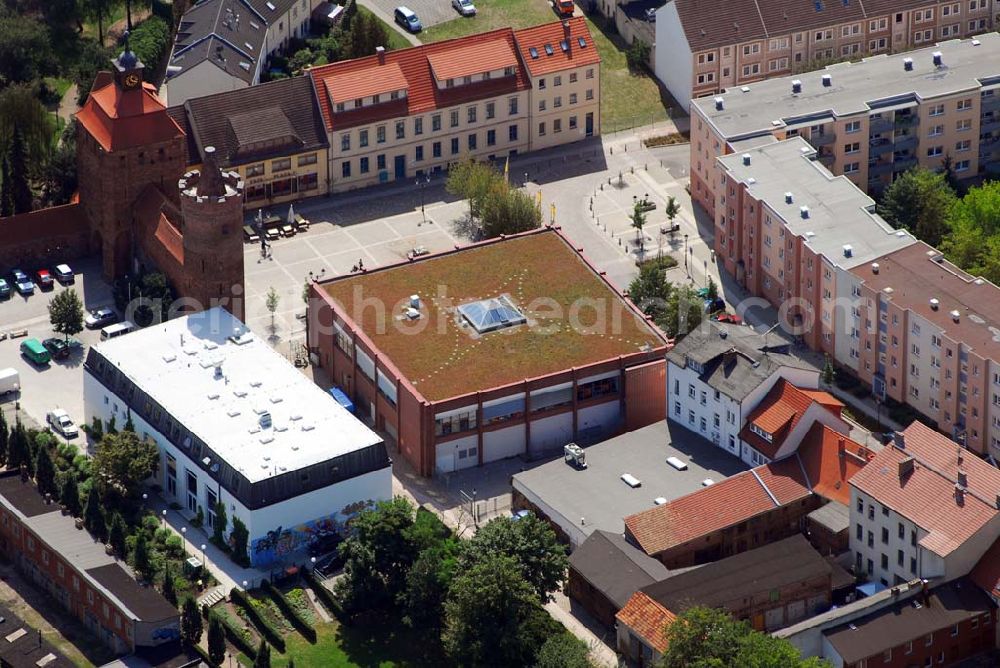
<point>212,206</point>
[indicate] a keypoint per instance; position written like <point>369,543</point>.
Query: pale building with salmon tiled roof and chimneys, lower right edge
<point>923,509</point>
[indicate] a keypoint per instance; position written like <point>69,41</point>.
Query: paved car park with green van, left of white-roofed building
<point>60,384</point>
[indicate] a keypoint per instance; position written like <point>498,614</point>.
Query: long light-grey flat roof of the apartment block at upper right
<point>855,87</point>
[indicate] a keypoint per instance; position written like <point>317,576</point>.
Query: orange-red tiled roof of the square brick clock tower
<point>120,119</point>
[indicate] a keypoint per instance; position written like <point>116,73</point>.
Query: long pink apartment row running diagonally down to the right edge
<point>916,328</point>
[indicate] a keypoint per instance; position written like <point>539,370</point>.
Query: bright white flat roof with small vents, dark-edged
<point>175,364</point>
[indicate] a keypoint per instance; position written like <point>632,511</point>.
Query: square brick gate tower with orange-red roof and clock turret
<point>126,142</point>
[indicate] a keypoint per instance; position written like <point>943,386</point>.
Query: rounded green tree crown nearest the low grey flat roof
<point>530,543</point>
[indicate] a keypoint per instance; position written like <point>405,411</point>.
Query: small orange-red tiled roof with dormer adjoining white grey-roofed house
<point>780,411</point>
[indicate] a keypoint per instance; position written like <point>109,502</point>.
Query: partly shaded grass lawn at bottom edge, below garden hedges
<point>386,644</point>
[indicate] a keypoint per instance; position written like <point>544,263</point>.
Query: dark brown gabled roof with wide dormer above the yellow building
<point>255,123</point>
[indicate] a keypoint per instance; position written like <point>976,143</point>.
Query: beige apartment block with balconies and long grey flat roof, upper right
<point>870,120</point>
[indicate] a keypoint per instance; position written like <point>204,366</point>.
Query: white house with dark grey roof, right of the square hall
<point>717,375</point>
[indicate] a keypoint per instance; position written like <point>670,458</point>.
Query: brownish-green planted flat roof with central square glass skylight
<point>517,279</point>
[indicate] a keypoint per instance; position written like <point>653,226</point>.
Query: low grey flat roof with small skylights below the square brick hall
<point>598,494</point>
